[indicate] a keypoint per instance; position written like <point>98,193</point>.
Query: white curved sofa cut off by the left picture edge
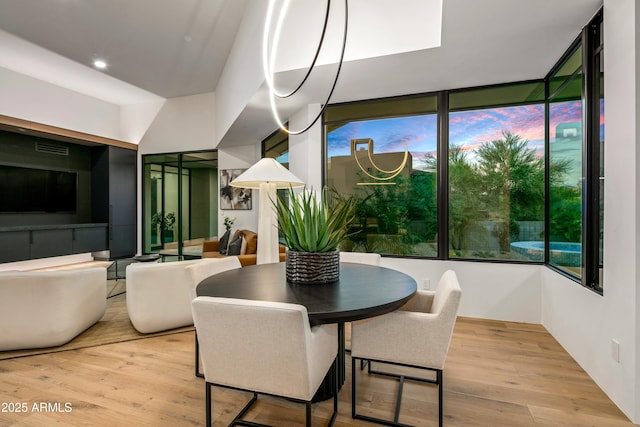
<point>49,308</point>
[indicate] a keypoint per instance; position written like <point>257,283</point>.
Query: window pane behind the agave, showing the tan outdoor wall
<point>384,154</point>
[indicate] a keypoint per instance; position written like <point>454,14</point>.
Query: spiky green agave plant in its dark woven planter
<point>313,228</point>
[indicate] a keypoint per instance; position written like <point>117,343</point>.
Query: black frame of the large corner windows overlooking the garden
<point>590,39</point>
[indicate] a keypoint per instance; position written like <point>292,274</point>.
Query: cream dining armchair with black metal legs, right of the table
<point>418,335</point>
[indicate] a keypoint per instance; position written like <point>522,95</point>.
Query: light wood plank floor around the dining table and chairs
<point>497,374</point>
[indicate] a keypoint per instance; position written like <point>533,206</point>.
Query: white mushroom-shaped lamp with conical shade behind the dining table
<point>267,175</point>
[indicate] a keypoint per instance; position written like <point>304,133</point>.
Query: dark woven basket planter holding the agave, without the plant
<point>313,267</point>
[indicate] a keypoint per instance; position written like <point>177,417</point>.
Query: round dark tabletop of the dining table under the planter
<point>362,291</point>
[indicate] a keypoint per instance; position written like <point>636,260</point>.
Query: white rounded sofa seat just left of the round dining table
<point>158,296</point>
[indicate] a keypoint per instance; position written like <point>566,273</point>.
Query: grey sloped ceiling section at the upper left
<point>167,47</point>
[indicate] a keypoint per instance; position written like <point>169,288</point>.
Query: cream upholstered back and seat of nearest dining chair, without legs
<point>263,346</point>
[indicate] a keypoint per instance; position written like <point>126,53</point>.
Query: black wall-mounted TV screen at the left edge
<point>37,190</point>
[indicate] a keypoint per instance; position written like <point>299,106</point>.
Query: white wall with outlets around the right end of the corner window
<point>582,321</point>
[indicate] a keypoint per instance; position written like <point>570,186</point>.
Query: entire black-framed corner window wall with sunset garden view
<point>523,179</point>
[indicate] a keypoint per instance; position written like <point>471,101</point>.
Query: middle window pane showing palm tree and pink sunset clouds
<point>496,173</point>
